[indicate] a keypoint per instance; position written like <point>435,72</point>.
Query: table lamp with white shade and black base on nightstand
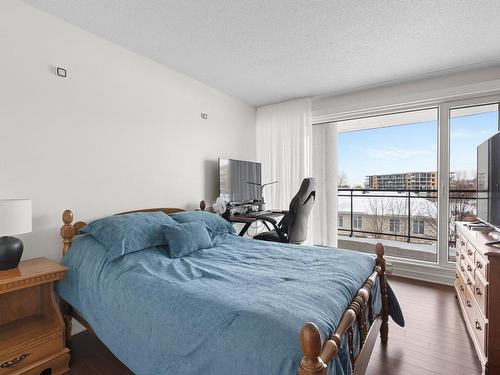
<point>15,218</point>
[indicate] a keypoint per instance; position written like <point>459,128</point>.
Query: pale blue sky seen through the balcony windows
<point>412,147</point>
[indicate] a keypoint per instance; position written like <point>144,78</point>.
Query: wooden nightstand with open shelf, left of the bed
<point>31,325</point>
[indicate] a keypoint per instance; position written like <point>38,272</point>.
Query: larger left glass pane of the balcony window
<point>388,172</point>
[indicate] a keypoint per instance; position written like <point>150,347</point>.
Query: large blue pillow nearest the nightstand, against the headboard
<point>124,234</point>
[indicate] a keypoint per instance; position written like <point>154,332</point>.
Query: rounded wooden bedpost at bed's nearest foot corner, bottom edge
<point>310,341</point>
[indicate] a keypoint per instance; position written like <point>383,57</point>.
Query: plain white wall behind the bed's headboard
<point>121,132</point>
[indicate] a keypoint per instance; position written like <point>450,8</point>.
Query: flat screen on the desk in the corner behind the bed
<point>239,180</point>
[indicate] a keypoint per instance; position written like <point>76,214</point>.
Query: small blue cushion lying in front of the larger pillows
<point>184,239</point>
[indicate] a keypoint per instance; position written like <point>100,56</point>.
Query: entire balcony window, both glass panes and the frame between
<point>405,178</point>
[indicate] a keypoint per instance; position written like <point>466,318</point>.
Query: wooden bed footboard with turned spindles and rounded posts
<point>317,355</point>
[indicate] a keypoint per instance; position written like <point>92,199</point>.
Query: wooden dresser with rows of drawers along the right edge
<point>477,283</point>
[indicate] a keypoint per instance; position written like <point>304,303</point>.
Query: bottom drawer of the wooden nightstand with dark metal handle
<point>14,361</point>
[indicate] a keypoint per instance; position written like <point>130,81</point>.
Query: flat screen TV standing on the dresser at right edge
<point>488,181</point>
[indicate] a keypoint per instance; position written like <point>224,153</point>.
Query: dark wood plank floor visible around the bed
<point>434,341</point>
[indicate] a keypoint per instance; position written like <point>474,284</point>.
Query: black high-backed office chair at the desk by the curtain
<point>293,227</point>
